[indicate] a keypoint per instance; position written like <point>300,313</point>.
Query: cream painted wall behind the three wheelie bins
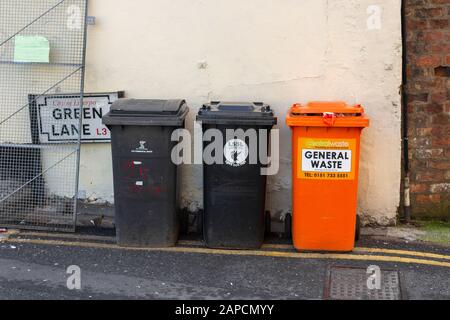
<point>278,52</point>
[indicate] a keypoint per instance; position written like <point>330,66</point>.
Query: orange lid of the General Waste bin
<point>327,114</point>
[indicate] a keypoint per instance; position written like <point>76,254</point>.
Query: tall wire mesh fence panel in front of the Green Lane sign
<point>42,49</point>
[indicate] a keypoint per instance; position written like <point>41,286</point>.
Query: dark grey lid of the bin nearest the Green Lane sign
<point>147,112</point>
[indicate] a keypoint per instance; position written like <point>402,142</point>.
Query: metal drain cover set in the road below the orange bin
<point>346,283</point>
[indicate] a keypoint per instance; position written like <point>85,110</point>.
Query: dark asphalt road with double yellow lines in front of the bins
<point>33,265</point>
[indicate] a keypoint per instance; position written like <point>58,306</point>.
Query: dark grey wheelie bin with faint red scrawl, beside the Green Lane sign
<point>145,178</point>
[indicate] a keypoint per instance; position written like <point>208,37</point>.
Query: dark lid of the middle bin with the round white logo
<point>237,113</point>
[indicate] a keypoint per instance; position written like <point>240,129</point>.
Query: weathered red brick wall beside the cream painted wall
<point>428,103</point>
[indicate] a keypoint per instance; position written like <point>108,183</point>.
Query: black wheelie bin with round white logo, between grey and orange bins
<point>234,193</point>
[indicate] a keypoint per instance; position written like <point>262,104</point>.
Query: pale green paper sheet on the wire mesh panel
<point>31,49</point>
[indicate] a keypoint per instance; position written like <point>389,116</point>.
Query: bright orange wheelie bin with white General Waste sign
<point>325,152</point>
